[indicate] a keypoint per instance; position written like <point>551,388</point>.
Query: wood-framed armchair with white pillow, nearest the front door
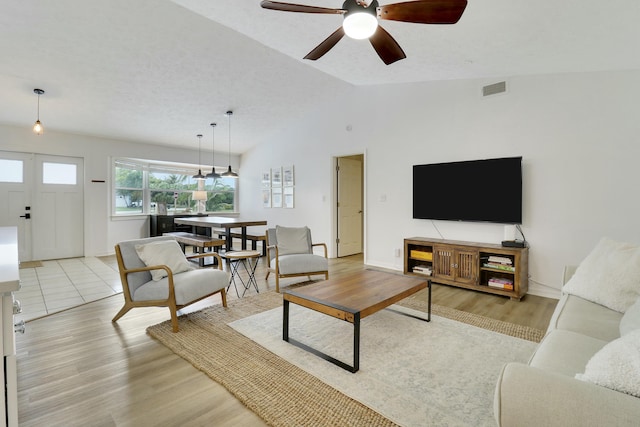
<point>155,273</point>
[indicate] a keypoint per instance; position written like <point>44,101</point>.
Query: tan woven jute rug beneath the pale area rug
<point>278,391</point>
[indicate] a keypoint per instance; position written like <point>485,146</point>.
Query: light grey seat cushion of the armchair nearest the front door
<point>189,286</point>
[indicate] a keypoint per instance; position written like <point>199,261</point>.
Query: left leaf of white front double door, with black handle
<point>16,181</point>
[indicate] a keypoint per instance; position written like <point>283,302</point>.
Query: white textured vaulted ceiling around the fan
<point>160,71</point>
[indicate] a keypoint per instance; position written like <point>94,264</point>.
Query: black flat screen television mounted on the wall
<point>479,190</point>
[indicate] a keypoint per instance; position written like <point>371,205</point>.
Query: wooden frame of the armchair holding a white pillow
<point>170,302</point>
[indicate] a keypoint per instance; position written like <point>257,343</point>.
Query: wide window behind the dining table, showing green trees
<point>142,187</point>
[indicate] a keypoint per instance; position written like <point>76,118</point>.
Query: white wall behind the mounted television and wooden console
<point>577,133</point>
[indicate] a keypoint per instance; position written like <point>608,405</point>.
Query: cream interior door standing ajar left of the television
<point>350,216</point>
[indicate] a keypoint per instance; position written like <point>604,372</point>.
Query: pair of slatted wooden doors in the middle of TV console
<point>458,264</point>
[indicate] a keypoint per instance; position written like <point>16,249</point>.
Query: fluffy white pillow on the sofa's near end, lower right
<point>617,365</point>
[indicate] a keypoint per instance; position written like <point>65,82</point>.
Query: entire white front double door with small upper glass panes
<point>43,197</point>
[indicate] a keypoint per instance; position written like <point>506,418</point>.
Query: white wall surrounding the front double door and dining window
<point>101,231</point>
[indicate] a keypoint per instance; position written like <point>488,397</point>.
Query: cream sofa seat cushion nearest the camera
<point>565,352</point>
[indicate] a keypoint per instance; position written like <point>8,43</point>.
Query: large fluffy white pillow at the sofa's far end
<point>609,275</point>
